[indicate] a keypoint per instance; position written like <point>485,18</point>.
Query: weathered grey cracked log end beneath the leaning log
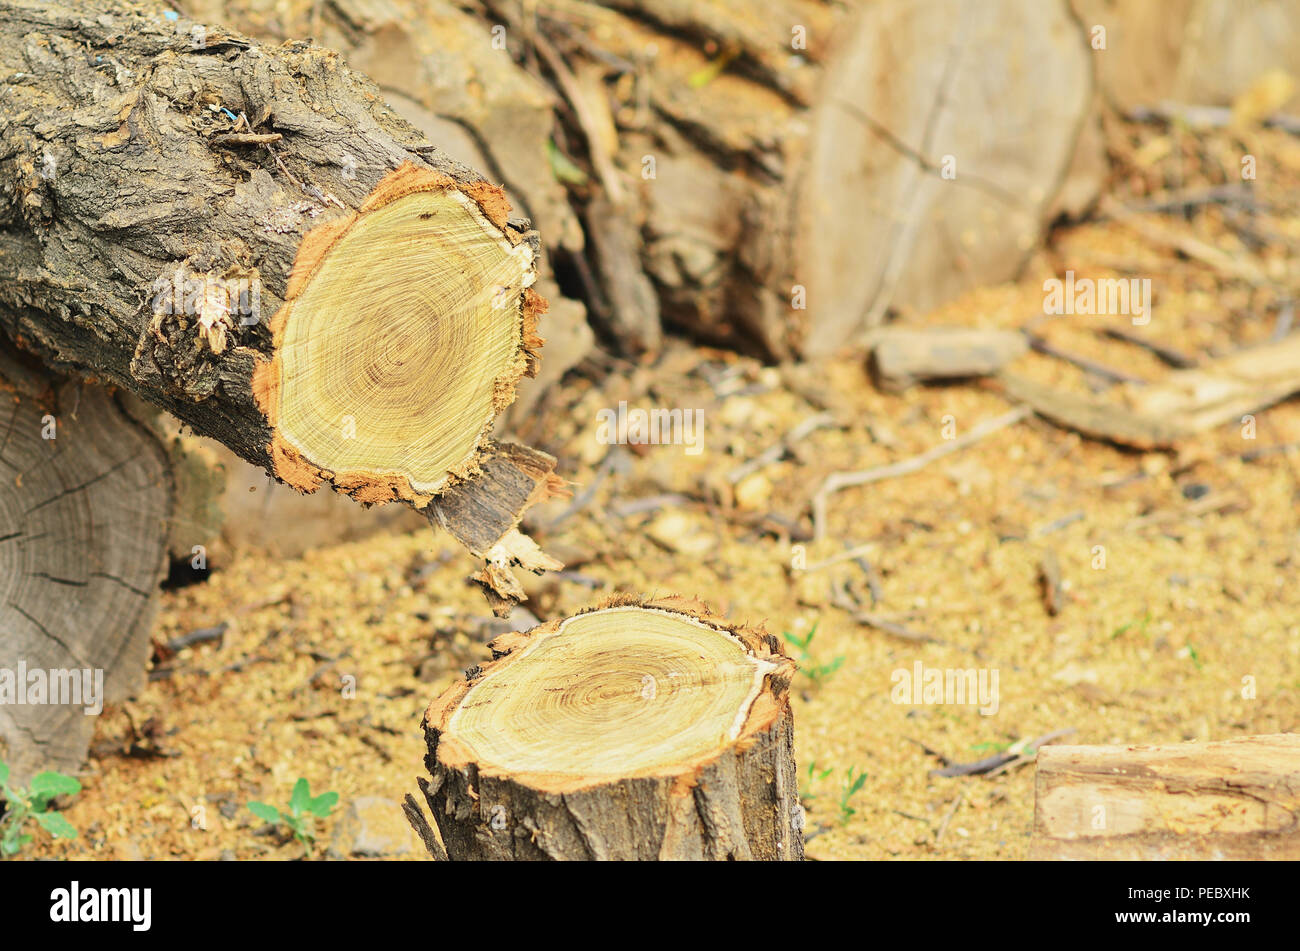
<point>86,496</point>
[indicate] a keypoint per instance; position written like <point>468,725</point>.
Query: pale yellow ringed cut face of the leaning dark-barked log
<point>398,353</point>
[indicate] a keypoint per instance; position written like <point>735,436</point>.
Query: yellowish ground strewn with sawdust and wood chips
<point>1177,572</point>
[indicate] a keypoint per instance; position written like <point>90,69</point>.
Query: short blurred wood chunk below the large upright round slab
<point>903,358</point>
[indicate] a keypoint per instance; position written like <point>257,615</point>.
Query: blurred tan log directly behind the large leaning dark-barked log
<point>441,70</point>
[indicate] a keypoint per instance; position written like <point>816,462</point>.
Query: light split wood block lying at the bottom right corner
<point>1238,800</point>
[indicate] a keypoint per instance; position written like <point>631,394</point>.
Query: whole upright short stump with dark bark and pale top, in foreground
<point>638,731</point>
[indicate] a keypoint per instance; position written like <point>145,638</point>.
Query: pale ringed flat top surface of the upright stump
<point>614,694</point>
